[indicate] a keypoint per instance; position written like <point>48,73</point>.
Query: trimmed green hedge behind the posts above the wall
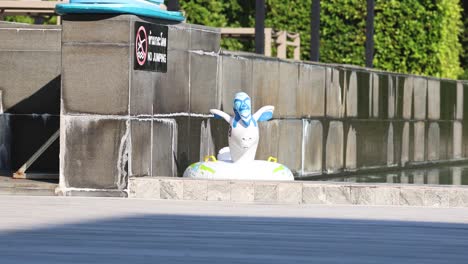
<point>411,36</point>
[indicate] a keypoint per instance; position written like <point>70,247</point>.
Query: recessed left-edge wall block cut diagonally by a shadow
<point>39,93</point>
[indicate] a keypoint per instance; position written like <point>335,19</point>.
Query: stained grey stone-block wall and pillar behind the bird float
<point>117,122</point>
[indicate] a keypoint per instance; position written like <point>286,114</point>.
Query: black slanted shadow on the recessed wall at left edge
<point>30,123</point>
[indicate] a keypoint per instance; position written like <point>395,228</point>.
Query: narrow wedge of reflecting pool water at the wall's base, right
<point>447,175</point>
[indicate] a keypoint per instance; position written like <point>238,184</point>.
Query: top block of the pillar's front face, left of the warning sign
<point>115,30</point>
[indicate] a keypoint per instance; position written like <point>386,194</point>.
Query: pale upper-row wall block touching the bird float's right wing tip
<point>287,93</point>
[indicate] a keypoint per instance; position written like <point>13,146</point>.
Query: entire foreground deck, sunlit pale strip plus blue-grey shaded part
<point>105,230</point>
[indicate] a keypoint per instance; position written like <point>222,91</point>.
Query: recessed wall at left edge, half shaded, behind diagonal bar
<point>29,95</point>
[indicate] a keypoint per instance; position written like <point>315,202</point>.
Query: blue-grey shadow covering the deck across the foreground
<point>203,239</point>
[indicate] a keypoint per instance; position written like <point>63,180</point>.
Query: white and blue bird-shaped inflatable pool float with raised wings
<point>237,162</point>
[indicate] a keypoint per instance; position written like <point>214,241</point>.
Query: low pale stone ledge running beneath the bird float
<point>297,192</point>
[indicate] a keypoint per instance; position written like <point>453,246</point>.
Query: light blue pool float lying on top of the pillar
<point>148,8</point>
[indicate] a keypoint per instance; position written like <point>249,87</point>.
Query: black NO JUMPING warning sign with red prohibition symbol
<point>150,47</point>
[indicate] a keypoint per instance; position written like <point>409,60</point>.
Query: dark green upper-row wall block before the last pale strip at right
<point>448,99</point>
